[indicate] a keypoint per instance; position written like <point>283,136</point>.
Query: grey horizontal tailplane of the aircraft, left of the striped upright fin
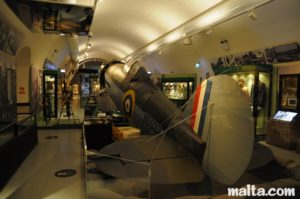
<point>134,158</point>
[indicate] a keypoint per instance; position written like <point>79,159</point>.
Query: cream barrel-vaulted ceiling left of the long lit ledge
<point>121,27</point>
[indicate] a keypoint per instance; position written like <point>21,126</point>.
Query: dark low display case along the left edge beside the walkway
<point>17,139</point>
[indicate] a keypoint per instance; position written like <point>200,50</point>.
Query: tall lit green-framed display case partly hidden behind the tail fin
<point>255,82</point>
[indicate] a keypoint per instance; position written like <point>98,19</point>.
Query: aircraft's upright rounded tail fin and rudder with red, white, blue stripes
<point>221,116</point>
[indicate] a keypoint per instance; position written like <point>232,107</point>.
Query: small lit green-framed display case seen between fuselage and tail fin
<point>178,88</point>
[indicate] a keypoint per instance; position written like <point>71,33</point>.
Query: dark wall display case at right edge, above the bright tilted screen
<point>289,92</point>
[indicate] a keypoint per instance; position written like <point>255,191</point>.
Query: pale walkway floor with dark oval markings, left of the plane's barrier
<point>35,178</point>
